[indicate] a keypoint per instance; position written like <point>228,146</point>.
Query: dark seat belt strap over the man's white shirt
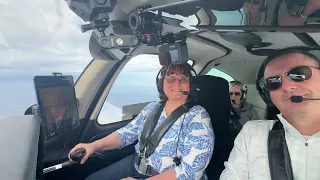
<point>278,154</point>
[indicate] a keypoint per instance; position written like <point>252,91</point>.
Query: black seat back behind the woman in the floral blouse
<point>214,96</point>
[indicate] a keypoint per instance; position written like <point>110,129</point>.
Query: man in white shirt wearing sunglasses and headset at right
<point>290,72</point>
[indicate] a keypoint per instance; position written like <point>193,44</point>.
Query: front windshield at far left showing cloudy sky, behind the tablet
<point>37,38</point>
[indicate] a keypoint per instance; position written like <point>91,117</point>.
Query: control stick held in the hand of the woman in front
<point>75,156</point>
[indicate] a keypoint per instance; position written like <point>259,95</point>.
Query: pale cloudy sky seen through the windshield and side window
<point>38,37</point>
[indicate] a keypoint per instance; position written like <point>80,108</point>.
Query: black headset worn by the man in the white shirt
<point>263,92</point>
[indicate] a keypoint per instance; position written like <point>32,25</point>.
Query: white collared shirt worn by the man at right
<point>248,159</point>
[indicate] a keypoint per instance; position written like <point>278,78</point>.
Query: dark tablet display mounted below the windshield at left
<point>58,104</point>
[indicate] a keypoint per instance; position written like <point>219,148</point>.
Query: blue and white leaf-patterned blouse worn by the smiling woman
<point>195,146</point>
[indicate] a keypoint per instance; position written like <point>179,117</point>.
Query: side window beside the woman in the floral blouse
<point>134,87</point>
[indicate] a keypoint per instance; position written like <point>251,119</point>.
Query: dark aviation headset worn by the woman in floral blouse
<point>192,81</point>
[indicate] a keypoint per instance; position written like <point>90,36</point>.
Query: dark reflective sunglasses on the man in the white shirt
<point>296,74</point>
